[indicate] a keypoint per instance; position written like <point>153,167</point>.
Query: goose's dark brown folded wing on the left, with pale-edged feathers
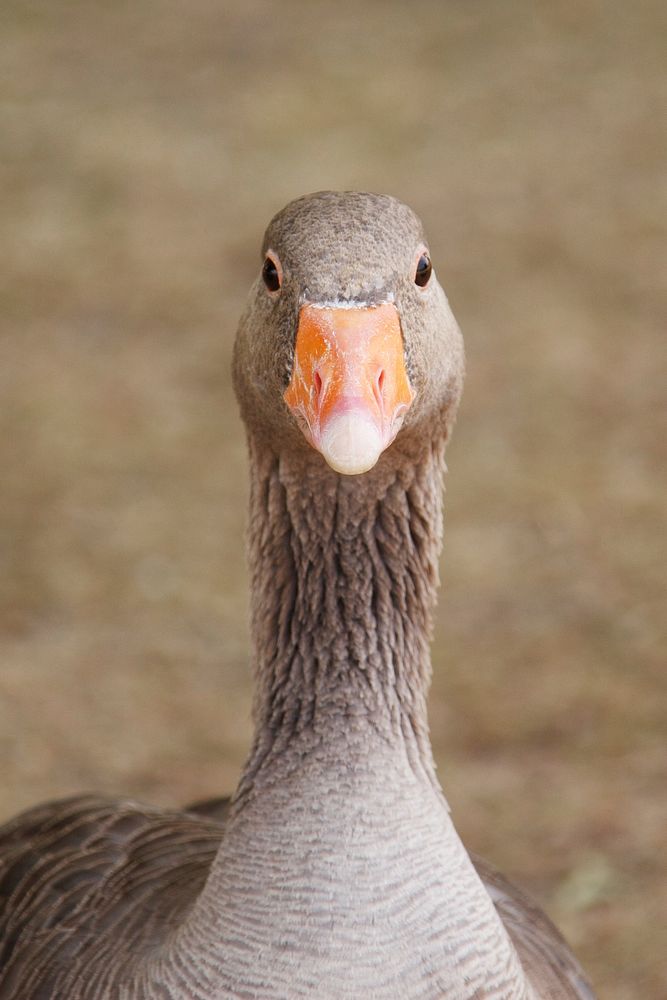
<point>86,879</point>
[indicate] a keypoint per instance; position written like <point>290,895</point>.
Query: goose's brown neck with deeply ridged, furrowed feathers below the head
<point>344,573</point>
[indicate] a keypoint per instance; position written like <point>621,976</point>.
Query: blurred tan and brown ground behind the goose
<point>143,148</point>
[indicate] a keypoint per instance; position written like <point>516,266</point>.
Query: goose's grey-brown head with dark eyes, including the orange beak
<point>348,343</point>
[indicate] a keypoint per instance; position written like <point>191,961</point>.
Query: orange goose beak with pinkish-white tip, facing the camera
<point>349,390</point>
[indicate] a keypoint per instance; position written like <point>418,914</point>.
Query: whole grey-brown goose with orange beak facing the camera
<point>334,871</point>
